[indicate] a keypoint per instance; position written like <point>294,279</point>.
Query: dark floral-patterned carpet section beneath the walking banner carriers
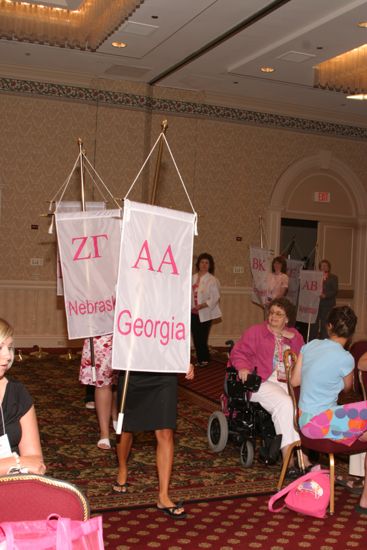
<point>69,435</point>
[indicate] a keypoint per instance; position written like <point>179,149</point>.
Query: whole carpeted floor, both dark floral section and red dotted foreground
<point>226,504</point>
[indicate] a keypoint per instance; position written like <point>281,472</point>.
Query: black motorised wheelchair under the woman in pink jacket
<point>243,421</point>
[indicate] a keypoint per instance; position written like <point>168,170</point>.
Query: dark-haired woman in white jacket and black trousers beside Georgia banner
<point>205,306</point>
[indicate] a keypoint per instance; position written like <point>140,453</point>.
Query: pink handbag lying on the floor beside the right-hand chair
<point>309,495</point>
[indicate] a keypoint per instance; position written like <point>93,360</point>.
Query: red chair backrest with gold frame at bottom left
<point>31,497</point>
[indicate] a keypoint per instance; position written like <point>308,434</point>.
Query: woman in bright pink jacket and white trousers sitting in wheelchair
<point>262,346</point>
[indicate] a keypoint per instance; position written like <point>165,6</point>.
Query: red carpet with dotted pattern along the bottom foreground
<point>232,524</point>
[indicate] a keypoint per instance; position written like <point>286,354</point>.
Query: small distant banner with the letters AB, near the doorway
<point>309,295</point>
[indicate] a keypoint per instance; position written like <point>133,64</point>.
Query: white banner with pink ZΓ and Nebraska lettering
<point>89,244</point>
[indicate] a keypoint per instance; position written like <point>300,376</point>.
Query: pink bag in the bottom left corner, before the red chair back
<point>55,533</point>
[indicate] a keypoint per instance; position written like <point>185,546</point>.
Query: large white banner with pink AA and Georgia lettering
<point>153,298</point>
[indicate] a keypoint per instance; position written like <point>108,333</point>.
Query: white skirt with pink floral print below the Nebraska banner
<point>103,359</point>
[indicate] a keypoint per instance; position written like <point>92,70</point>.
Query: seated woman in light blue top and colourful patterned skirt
<point>323,369</point>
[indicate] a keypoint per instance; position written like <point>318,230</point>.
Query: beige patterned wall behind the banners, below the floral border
<point>231,167</point>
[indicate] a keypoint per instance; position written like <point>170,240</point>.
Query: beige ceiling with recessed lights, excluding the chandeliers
<point>215,47</point>
